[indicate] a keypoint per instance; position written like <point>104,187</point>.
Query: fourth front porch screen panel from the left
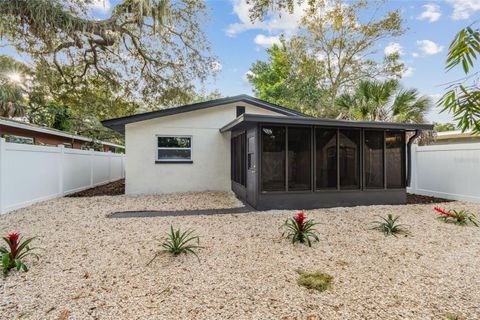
<point>349,159</point>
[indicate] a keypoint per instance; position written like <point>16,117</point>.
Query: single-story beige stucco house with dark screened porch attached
<point>270,156</point>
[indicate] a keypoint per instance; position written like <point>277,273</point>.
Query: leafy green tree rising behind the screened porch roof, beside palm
<point>335,51</point>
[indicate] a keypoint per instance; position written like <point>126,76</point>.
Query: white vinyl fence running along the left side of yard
<point>32,173</point>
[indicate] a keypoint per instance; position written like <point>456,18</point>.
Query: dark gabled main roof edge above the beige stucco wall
<point>118,124</point>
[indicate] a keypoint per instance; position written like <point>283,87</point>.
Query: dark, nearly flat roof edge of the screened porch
<point>246,120</point>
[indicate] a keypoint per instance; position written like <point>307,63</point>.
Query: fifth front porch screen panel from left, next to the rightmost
<point>373,156</point>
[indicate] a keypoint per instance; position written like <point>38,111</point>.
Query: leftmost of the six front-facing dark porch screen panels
<point>273,158</point>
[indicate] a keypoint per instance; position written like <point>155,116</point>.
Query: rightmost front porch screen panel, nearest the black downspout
<point>395,159</point>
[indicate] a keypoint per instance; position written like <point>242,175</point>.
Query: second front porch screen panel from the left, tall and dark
<point>299,158</point>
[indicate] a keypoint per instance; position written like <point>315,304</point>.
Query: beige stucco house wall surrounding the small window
<point>210,170</point>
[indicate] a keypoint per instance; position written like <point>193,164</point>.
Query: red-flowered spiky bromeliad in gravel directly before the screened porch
<point>300,229</point>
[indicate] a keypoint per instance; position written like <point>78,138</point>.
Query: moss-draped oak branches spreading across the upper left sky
<point>148,47</point>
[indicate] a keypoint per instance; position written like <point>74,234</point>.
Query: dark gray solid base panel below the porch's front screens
<point>327,199</point>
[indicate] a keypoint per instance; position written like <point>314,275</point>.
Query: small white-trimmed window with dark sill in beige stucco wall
<point>174,149</point>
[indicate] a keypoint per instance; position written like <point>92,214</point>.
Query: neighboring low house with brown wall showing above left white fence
<point>22,132</point>
